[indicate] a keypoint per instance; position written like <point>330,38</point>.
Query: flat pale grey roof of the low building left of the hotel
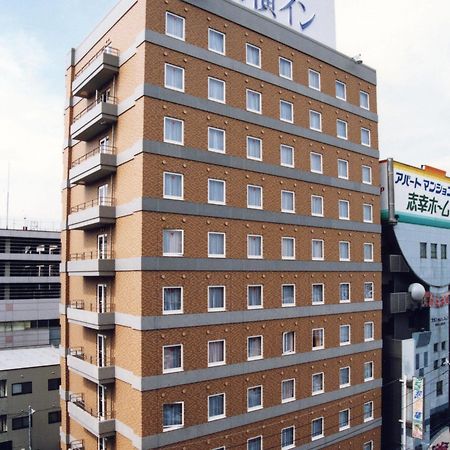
<point>23,358</point>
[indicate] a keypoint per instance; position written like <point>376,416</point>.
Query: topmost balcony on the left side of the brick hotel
<point>100,69</point>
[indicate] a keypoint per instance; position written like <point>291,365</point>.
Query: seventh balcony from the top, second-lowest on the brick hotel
<point>90,367</point>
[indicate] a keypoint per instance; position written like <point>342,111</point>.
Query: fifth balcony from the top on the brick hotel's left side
<point>92,264</point>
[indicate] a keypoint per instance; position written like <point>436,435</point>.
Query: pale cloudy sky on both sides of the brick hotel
<point>406,42</point>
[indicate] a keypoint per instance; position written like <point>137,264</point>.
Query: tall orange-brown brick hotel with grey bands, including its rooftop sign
<point>221,275</point>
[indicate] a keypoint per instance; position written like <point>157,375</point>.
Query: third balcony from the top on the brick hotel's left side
<point>94,165</point>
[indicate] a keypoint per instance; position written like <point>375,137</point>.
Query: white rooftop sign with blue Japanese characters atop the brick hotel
<point>313,18</point>
